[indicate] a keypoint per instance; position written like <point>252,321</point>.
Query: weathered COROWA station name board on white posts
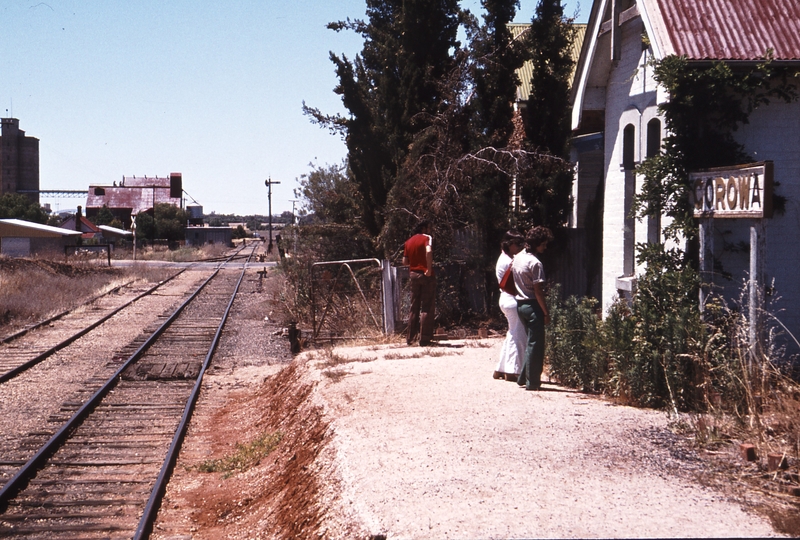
<point>743,191</point>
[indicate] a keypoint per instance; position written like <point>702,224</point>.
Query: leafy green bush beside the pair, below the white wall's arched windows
<point>655,352</point>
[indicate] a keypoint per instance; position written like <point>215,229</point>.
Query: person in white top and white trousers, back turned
<point>511,355</point>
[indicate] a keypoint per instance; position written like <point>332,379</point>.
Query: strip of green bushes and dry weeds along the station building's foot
<point>658,351</point>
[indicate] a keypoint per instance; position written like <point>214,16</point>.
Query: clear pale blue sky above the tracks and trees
<point>213,90</point>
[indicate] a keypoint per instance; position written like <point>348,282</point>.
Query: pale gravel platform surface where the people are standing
<point>433,447</point>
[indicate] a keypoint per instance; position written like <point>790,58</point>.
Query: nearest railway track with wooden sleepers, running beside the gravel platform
<point>103,472</point>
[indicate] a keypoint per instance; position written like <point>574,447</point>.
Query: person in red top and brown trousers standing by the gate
<point>418,255</point>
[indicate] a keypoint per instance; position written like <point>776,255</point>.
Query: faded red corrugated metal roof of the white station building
<point>733,29</point>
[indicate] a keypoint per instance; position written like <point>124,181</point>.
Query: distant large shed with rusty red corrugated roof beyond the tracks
<point>134,195</point>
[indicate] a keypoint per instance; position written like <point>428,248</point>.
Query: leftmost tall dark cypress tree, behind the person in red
<point>407,51</point>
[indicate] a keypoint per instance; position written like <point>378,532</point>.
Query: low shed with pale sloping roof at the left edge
<point>20,238</point>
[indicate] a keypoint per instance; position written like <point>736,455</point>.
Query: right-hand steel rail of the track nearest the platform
<point>154,502</point>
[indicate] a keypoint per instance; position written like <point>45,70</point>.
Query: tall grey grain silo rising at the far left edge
<point>19,160</point>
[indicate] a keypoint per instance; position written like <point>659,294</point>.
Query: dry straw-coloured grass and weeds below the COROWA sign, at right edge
<point>755,399</point>
